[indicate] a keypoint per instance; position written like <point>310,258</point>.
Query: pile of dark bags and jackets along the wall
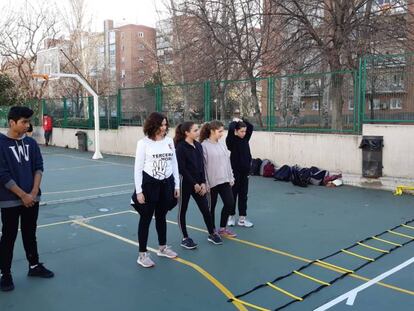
<point>299,176</point>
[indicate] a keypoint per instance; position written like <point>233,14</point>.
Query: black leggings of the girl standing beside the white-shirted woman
<point>186,192</point>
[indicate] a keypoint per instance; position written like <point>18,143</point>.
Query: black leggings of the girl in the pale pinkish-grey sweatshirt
<point>226,195</point>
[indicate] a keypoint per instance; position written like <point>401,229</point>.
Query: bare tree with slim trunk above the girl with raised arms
<point>239,27</point>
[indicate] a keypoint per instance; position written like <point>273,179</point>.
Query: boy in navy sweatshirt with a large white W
<point>21,168</point>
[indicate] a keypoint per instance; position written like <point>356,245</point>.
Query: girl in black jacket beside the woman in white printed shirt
<point>192,176</point>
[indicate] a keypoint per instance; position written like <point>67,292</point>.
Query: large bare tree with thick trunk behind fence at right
<point>338,32</point>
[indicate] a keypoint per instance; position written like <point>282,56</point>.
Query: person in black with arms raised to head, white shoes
<point>237,142</point>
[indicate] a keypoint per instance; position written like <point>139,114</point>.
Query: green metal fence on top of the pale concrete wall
<point>380,91</point>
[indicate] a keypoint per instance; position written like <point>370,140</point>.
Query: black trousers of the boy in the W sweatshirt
<point>10,219</point>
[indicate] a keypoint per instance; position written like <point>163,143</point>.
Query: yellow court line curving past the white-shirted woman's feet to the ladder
<point>203,272</point>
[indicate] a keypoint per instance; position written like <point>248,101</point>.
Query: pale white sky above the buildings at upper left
<point>142,12</point>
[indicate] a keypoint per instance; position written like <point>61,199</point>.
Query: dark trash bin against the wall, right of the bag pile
<point>372,156</point>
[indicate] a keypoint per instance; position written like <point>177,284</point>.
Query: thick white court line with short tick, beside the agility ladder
<point>351,295</point>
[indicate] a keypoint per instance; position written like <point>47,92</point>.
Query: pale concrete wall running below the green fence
<point>332,152</point>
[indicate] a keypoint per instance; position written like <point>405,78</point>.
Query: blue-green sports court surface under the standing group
<point>88,236</point>
